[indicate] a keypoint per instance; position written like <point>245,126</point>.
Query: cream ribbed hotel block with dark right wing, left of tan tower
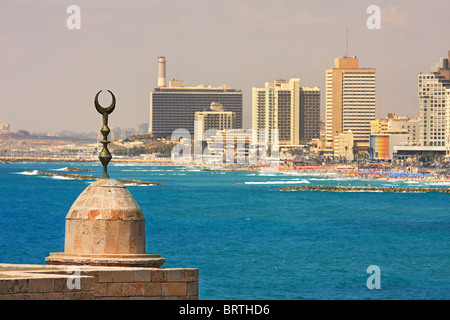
<point>284,105</point>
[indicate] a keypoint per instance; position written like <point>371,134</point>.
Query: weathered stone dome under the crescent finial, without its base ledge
<point>105,218</point>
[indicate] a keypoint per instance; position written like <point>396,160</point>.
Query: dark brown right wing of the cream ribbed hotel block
<point>309,114</point>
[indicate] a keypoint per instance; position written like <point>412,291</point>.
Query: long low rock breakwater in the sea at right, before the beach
<point>358,188</point>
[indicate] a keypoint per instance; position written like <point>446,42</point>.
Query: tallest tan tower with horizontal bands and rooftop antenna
<point>350,100</point>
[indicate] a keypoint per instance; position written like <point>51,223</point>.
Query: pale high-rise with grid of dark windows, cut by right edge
<point>433,90</point>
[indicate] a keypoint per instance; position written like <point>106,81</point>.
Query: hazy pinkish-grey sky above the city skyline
<point>49,74</point>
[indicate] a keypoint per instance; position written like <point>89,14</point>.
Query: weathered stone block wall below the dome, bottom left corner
<point>42,282</point>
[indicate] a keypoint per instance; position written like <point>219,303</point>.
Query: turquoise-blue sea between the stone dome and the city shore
<point>248,240</point>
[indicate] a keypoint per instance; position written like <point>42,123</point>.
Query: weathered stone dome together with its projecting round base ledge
<point>105,226</point>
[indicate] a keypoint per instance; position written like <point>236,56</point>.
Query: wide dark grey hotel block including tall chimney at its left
<point>174,107</point>
